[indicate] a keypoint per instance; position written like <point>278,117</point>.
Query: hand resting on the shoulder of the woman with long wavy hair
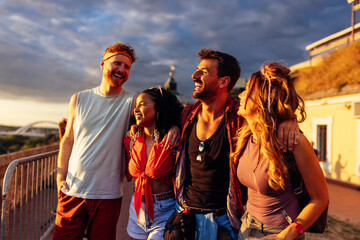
<point>288,135</point>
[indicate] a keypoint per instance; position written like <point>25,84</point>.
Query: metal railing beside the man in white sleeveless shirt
<point>29,197</point>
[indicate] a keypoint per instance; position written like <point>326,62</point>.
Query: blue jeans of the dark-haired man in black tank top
<point>207,225</point>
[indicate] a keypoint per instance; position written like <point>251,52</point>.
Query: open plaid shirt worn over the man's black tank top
<point>237,195</point>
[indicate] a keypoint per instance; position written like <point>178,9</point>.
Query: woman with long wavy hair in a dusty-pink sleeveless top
<point>269,99</point>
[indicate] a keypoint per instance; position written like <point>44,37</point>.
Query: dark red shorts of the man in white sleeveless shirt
<point>74,215</point>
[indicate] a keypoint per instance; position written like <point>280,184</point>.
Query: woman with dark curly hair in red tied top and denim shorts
<point>151,164</point>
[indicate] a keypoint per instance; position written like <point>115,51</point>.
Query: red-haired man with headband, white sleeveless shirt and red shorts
<point>91,162</point>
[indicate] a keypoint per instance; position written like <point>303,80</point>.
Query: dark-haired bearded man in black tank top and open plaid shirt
<point>204,172</point>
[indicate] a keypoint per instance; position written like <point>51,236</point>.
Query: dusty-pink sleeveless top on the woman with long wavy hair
<point>264,203</point>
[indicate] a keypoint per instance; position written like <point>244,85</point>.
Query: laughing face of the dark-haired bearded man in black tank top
<point>206,79</point>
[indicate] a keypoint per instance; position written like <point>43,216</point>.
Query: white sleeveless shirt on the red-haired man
<point>97,163</point>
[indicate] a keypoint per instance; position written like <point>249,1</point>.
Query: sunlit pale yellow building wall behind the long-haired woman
<point>343,131</point>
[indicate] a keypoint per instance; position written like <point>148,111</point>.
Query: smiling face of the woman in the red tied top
<point>144,111</point>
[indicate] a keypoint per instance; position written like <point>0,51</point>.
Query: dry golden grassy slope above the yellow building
<point>337,74</point>
